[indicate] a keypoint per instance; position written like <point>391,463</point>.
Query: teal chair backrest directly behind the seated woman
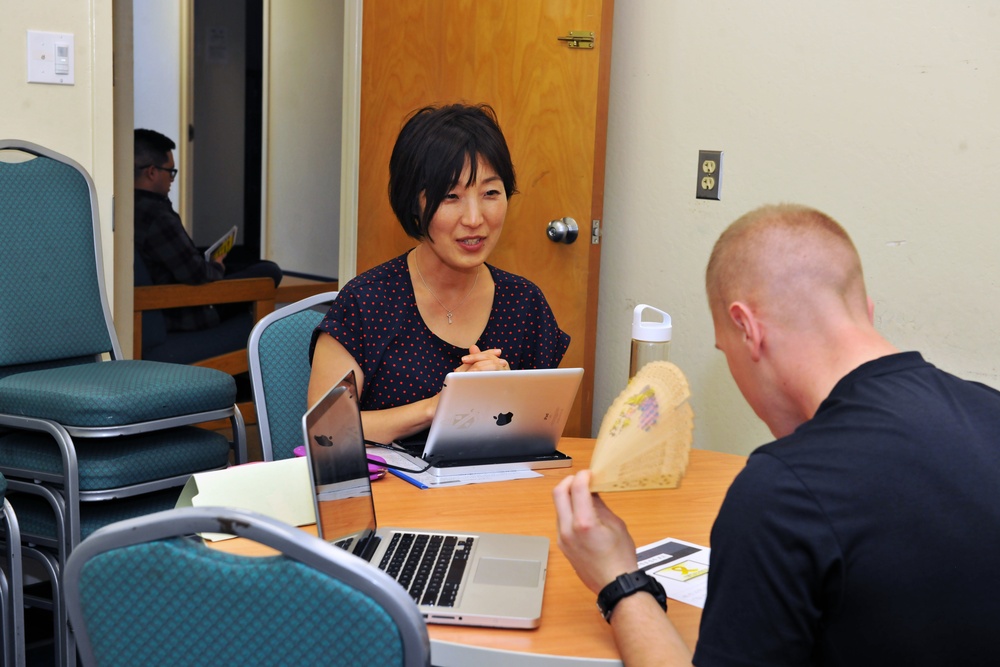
<point>278,352</point>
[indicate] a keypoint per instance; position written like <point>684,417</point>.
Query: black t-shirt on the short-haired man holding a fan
<point>870,535</point>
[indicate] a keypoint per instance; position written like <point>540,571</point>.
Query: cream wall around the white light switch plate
<point>77,120</point>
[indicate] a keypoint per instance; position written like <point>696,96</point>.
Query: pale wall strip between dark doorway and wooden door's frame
<point>304,100</point>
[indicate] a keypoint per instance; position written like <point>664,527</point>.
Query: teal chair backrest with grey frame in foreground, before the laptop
<point>138,593</point>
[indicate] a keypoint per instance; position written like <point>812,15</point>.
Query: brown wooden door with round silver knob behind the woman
<point>551,101</point>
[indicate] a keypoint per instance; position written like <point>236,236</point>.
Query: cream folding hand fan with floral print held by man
<point>646,434</point>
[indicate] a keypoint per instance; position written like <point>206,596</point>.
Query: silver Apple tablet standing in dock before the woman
<point>500,419</point>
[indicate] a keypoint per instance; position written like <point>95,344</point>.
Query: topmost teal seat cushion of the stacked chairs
<point>114,393</point>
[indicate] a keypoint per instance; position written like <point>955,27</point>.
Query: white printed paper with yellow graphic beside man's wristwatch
<point>681,567</point>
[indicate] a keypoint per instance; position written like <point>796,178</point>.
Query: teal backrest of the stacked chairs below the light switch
<point>53,303</point>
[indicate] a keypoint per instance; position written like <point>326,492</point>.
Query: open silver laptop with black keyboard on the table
<point>479,578</point>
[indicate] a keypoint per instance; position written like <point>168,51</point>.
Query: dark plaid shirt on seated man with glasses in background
<point>171,257</point>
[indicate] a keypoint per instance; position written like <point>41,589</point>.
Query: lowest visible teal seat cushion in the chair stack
<point>38,522</point>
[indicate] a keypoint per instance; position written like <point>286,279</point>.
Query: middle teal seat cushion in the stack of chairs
<point>112,463</point>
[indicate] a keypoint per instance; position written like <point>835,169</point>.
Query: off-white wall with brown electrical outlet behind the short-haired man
<point>882,114</point>
